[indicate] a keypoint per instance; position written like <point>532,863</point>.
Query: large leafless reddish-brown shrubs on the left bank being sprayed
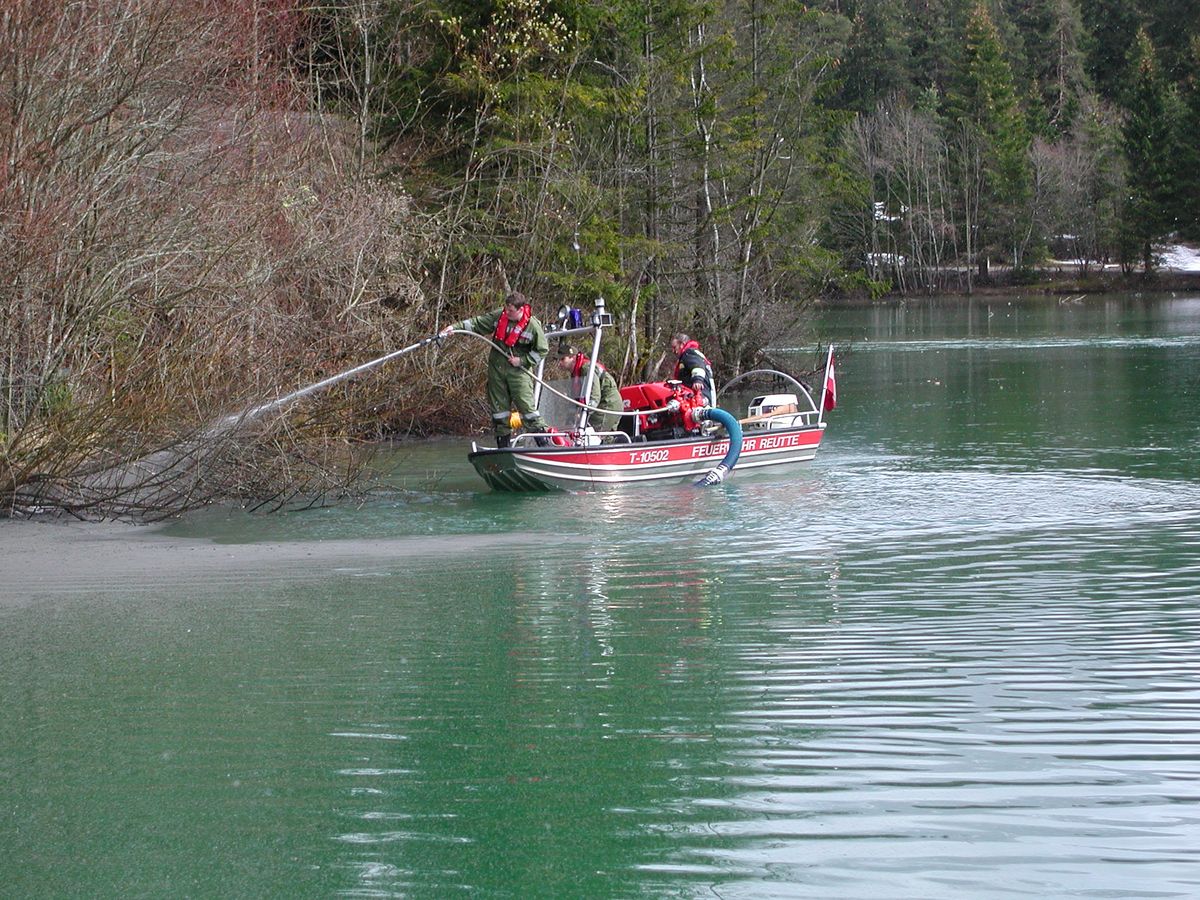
<point>182,242</point>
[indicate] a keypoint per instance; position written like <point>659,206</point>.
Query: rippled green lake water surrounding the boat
<point>958,656</point>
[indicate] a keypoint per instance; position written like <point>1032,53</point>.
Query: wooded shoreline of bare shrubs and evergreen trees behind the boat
<point>205,206</point>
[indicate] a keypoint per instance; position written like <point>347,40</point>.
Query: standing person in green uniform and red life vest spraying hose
<point>519,345</point>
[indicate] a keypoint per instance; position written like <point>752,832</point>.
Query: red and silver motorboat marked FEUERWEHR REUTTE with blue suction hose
<point>668,434</point>
